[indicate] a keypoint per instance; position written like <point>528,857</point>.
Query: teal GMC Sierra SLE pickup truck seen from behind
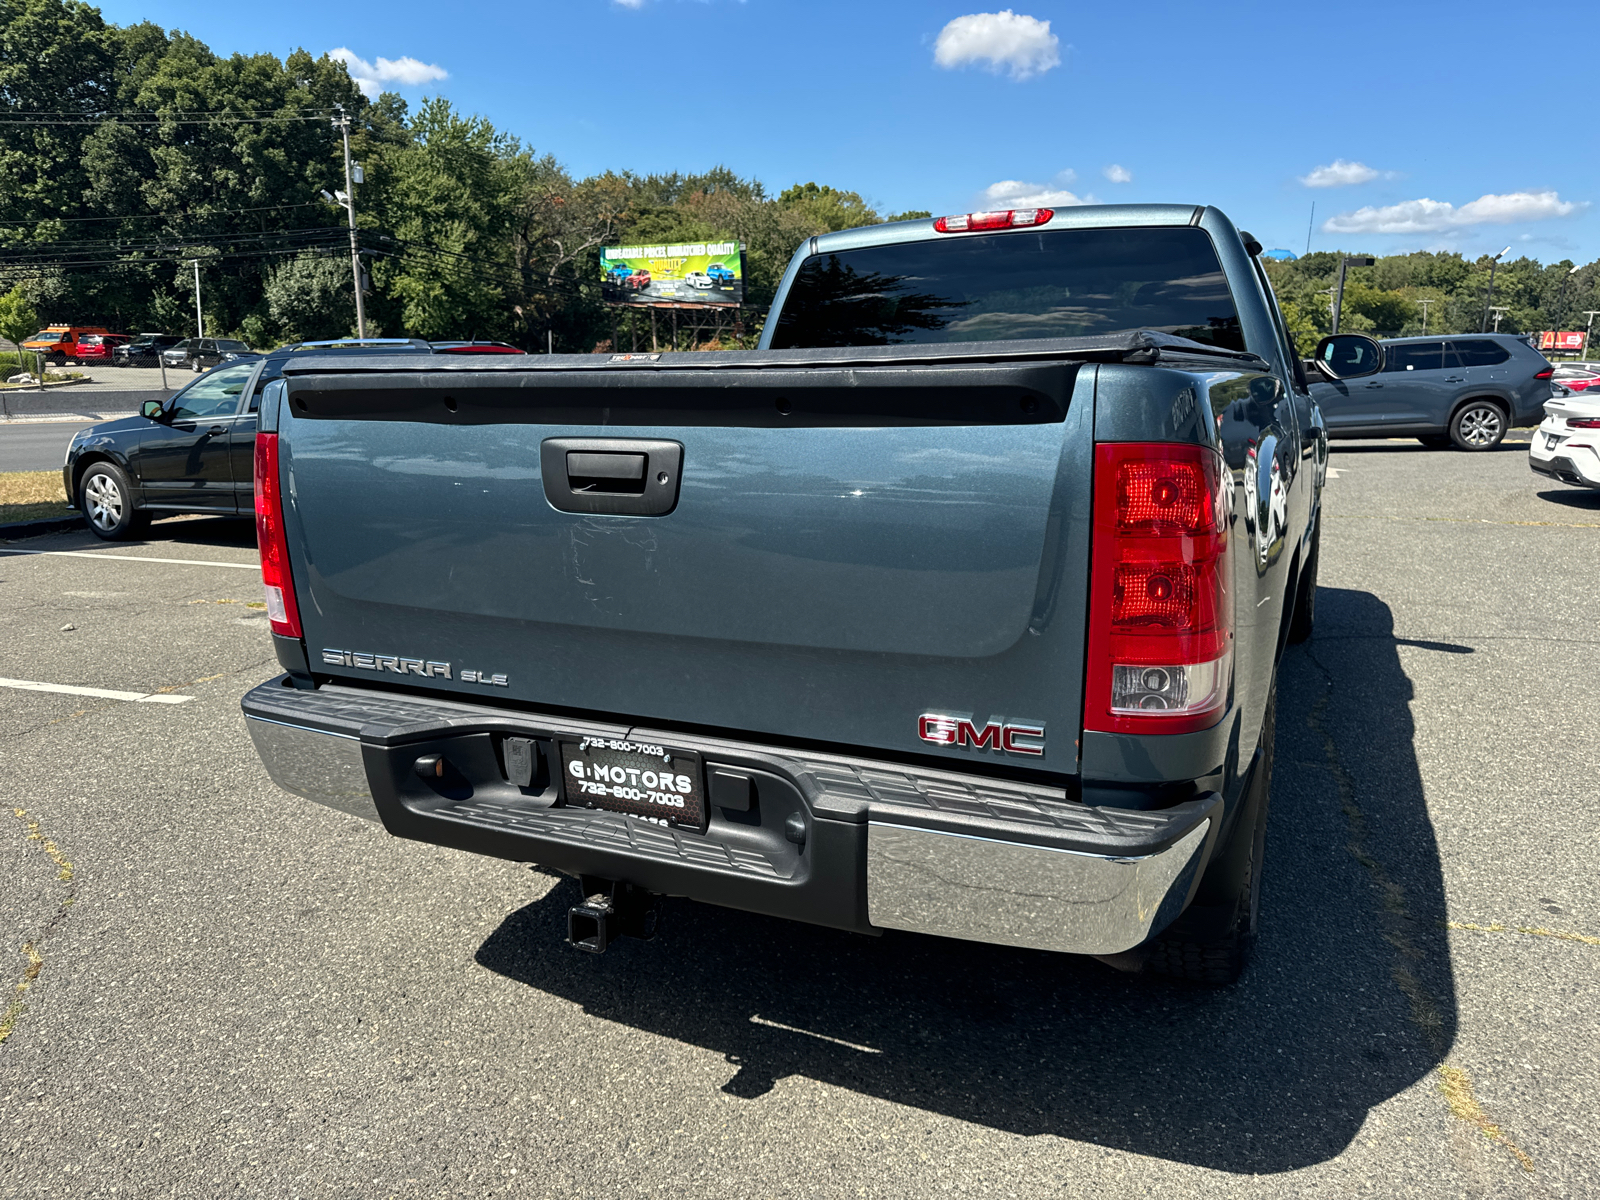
<point>956,607</point>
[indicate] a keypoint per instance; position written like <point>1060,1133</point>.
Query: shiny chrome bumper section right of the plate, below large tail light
<point>983,890</point>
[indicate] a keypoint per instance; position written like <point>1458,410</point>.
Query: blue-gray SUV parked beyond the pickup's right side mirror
<point>1466,390</point>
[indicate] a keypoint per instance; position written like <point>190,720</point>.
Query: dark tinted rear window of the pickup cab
<point>1002,287</point>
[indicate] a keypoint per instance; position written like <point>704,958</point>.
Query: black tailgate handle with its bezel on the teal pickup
<point>615,476</point>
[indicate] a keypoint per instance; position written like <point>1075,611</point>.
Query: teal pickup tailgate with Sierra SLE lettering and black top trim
<point>849,548</point>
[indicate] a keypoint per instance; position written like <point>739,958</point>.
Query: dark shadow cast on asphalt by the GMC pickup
<point>1348,1002</point>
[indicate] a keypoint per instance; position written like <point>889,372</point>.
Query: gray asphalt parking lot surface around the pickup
<point>209,986</point>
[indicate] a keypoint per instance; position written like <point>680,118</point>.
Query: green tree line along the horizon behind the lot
<point>132,153</point>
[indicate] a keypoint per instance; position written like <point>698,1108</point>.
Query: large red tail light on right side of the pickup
<point>1161,601</point>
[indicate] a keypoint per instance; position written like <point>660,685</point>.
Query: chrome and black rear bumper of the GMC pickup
<point>826,839</point>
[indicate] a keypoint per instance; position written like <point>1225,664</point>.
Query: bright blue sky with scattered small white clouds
<point>1412,126</point>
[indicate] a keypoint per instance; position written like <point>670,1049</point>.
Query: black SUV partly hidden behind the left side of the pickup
<point>196,450</point>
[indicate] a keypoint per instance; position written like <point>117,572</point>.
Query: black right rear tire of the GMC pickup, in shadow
<point>1214,942</point>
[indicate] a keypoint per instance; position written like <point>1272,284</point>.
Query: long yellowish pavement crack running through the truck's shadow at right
<point>1396,921</point>
